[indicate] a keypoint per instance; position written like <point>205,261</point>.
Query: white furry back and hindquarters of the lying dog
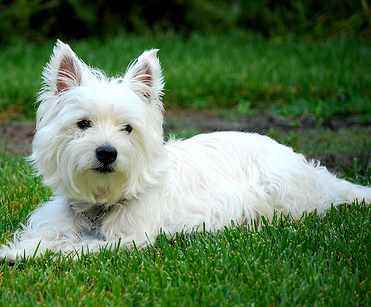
<point>246,174</point>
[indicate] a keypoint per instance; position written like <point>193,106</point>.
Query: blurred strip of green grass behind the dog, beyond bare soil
<point>236,71</point>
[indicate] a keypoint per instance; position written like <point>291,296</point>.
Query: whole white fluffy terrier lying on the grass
<point>99,146</point>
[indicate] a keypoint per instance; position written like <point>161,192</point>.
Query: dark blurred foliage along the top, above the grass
<point>40,19</point>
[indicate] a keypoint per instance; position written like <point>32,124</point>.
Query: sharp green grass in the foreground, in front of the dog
<point>316,260</point>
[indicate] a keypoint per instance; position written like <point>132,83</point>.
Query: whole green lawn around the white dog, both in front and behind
<point>317,260</point>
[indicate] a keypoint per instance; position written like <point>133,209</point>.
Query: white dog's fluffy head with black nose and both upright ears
<point>97,138</point>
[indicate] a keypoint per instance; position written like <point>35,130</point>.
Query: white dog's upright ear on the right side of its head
<point>144,75</point>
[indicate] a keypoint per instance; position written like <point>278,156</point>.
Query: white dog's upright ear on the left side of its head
<point>63,70</point>
